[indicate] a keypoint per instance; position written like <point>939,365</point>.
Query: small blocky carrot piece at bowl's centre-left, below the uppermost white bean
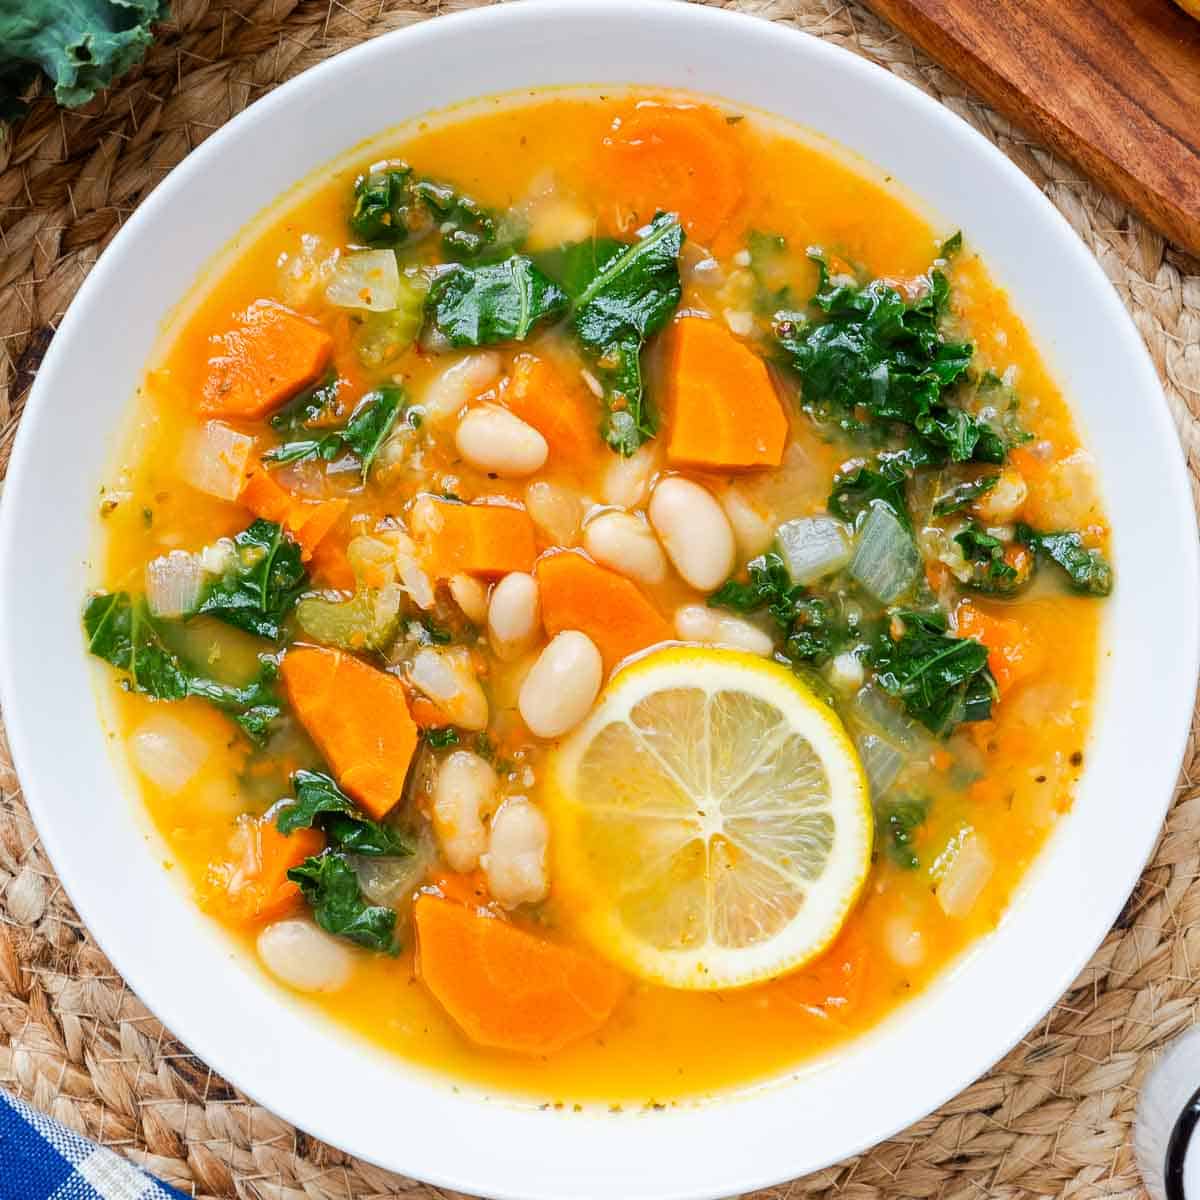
<point>473,539</point>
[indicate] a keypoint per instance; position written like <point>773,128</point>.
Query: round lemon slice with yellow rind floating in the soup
<point>712,826</point>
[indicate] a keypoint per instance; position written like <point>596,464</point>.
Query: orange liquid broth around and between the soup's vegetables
<point>661,1045</point>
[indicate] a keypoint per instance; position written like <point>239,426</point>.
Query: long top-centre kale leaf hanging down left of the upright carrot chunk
<point>623,293</point>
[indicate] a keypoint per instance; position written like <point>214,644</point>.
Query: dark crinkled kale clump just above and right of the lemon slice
<point>941,680</point>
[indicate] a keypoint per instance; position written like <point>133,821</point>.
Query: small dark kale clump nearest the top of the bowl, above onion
<point>393,208</point>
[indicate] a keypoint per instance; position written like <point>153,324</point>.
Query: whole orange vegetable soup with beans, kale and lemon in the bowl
<point>602,598</point>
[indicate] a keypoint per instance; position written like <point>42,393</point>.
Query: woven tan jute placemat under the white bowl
<point>1052,1120</point>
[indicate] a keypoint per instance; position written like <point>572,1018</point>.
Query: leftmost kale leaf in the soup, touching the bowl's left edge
<point>122,632</point>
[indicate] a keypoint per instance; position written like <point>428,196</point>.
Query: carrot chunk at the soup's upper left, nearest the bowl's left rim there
<point>271,356</point>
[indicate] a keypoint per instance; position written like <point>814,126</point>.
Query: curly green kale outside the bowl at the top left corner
<point>81,46</point>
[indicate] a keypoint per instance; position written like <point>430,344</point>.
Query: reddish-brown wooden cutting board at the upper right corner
<point>1112,85</point>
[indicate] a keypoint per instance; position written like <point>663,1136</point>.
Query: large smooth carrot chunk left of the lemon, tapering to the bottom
<point>359,719</point>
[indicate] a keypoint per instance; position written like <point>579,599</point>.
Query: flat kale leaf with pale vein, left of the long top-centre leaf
<point>499,303</point>
